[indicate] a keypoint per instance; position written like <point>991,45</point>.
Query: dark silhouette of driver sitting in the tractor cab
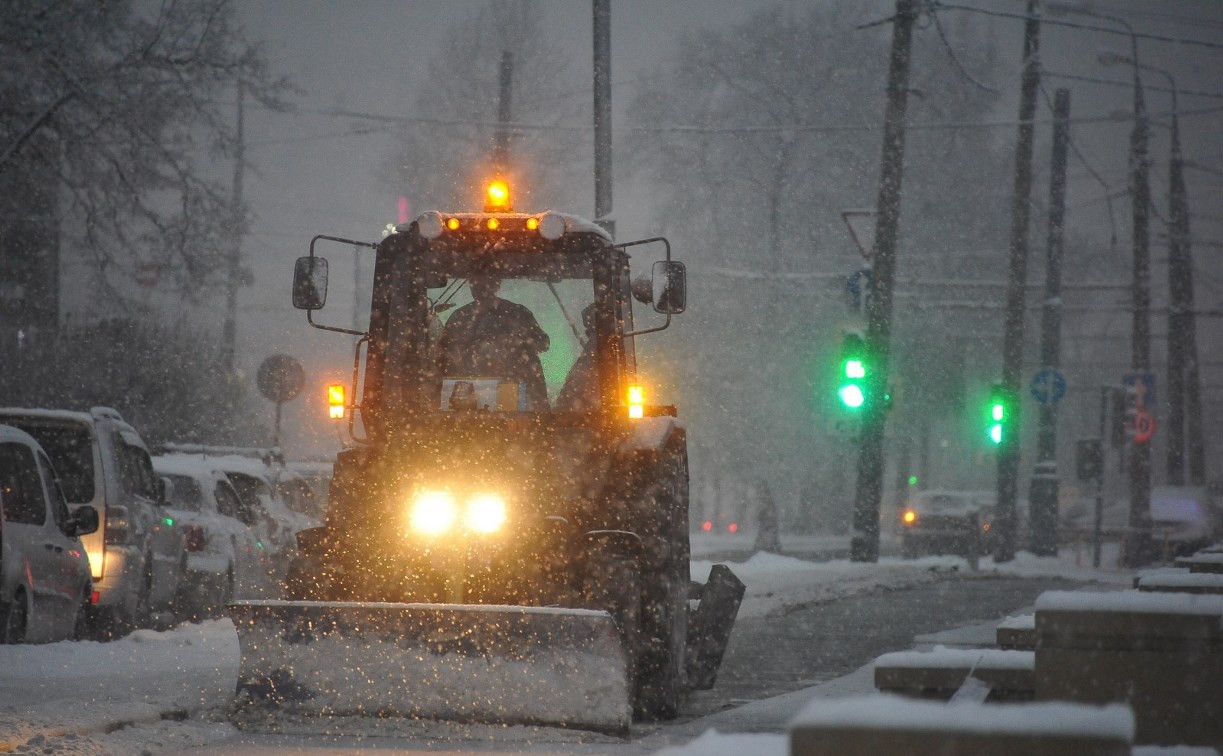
<point>492,337</point>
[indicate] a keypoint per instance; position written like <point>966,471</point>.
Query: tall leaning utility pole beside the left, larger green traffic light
<point>865,545</point>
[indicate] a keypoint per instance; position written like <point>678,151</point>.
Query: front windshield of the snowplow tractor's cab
<point>512,333</point>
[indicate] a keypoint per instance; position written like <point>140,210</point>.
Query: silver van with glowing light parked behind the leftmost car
<point>138,557</point>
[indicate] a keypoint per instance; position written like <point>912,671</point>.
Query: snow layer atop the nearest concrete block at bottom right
<point>886,713</point>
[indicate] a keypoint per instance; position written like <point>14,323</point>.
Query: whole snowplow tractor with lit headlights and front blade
<point>507,538</point>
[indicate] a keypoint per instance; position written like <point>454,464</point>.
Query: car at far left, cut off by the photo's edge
<point>45,574</point>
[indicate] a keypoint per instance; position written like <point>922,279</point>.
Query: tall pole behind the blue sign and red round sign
<point>1138,551</point>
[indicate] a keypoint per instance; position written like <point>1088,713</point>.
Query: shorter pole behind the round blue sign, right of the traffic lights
<point>1045,480</point>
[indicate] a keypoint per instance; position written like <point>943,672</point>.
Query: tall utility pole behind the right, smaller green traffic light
<point>1017,278</point>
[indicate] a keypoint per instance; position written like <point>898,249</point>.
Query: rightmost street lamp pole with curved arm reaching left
<point>1184,390</point>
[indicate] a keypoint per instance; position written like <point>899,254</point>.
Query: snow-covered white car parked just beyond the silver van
<point>224,557</point>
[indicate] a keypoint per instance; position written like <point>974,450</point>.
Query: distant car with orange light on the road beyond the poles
<point>944,523</point>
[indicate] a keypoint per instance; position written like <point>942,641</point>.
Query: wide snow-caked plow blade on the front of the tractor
<point>468,662</point>
